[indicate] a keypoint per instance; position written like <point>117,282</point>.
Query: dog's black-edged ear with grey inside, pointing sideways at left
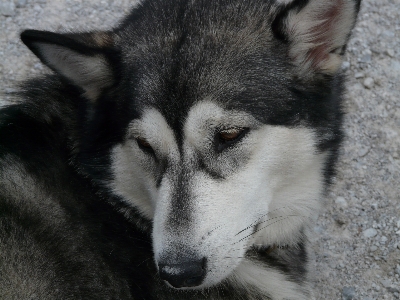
<point>83,59</point>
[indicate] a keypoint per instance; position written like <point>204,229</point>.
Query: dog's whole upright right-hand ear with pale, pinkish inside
<point>317,32</point>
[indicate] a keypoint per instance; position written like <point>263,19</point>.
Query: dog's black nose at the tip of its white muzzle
<point>186,274</point>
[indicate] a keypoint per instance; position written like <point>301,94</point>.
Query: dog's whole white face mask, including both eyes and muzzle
<point>226,183</point>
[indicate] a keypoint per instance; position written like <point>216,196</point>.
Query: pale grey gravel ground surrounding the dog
<point>357,238</point>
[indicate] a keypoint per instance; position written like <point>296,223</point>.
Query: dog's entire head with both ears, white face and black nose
<point>217,120</point>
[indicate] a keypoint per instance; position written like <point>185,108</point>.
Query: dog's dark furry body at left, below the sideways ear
<point>59,225</point>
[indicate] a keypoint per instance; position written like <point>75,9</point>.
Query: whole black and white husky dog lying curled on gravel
<point>181,155</point>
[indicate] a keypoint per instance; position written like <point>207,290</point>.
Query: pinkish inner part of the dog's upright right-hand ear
<point>323,34</point>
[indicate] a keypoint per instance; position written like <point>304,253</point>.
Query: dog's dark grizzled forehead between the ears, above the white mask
<point>203,50</point>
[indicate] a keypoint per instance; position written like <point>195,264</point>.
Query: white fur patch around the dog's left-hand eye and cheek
<point>133,178</point>
